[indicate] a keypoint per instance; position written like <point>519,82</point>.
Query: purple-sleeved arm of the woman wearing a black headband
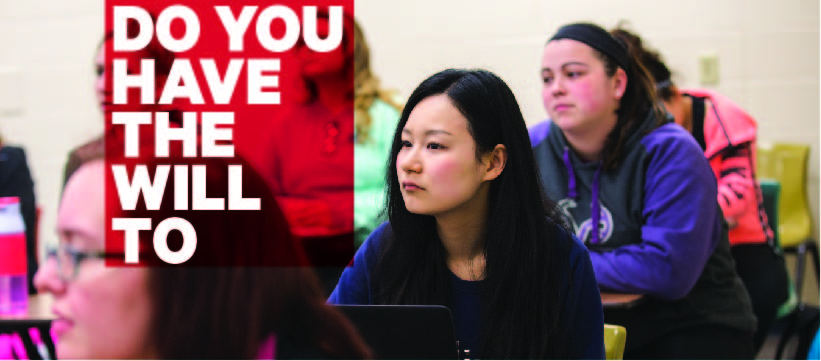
<point>681,229</point>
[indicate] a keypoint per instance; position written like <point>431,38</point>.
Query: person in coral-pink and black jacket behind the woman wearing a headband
<point>727,135</point>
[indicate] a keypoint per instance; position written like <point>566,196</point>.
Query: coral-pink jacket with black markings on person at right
<point>730,137</point>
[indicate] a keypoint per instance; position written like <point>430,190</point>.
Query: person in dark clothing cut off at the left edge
<point>15,181</point>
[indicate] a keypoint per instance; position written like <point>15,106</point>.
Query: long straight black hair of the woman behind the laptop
<point>526,244</point>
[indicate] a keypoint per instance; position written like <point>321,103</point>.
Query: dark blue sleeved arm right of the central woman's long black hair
<point>585,311</point>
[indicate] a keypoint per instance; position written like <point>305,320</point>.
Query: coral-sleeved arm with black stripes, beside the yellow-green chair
<point>736,186</point>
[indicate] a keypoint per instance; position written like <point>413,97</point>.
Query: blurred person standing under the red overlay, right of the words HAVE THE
<point>311,153</point>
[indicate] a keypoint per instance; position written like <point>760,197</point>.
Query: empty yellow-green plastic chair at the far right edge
<point>787,164</point>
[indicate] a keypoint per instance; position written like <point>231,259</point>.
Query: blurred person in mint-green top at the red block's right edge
<point>376,113</point>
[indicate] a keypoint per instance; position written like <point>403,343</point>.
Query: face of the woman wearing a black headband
<point>578,95</point>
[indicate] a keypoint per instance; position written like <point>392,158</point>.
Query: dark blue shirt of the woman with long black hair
<point>355,287</point>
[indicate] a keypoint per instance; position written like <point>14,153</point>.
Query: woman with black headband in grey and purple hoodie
<point>641,195</point>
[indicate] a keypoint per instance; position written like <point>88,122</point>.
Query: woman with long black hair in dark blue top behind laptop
<point>469,228</point>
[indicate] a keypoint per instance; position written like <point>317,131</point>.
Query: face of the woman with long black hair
<point>437,167</point>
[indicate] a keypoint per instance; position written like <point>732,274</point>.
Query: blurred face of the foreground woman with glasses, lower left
<point>101,312</point>
